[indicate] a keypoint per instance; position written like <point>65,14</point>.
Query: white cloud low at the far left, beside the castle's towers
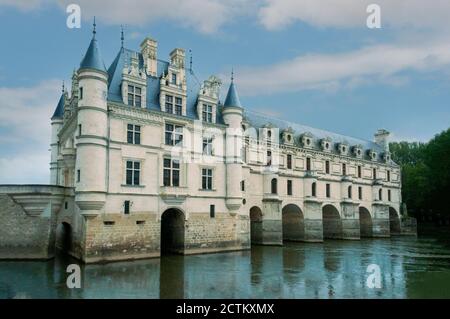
<point>25,131</point>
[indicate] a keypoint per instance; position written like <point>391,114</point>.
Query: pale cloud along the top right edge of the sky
<point>415,14</point>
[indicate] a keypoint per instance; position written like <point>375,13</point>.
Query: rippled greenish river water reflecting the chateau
<point>410,268</point>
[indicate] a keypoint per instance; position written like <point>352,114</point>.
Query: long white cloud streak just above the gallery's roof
<point>380,63</point>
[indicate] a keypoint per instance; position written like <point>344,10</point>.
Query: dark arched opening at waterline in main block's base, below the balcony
<point>172,231</point>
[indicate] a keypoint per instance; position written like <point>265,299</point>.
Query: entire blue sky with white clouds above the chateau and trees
<point>309,61</point>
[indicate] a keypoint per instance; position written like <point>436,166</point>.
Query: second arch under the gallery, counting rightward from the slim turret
<point>293,223</point>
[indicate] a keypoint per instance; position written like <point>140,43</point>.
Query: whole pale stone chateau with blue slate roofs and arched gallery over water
<point>146,159</point>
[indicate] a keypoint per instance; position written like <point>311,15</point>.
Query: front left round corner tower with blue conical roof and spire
<point>92,132</point>
